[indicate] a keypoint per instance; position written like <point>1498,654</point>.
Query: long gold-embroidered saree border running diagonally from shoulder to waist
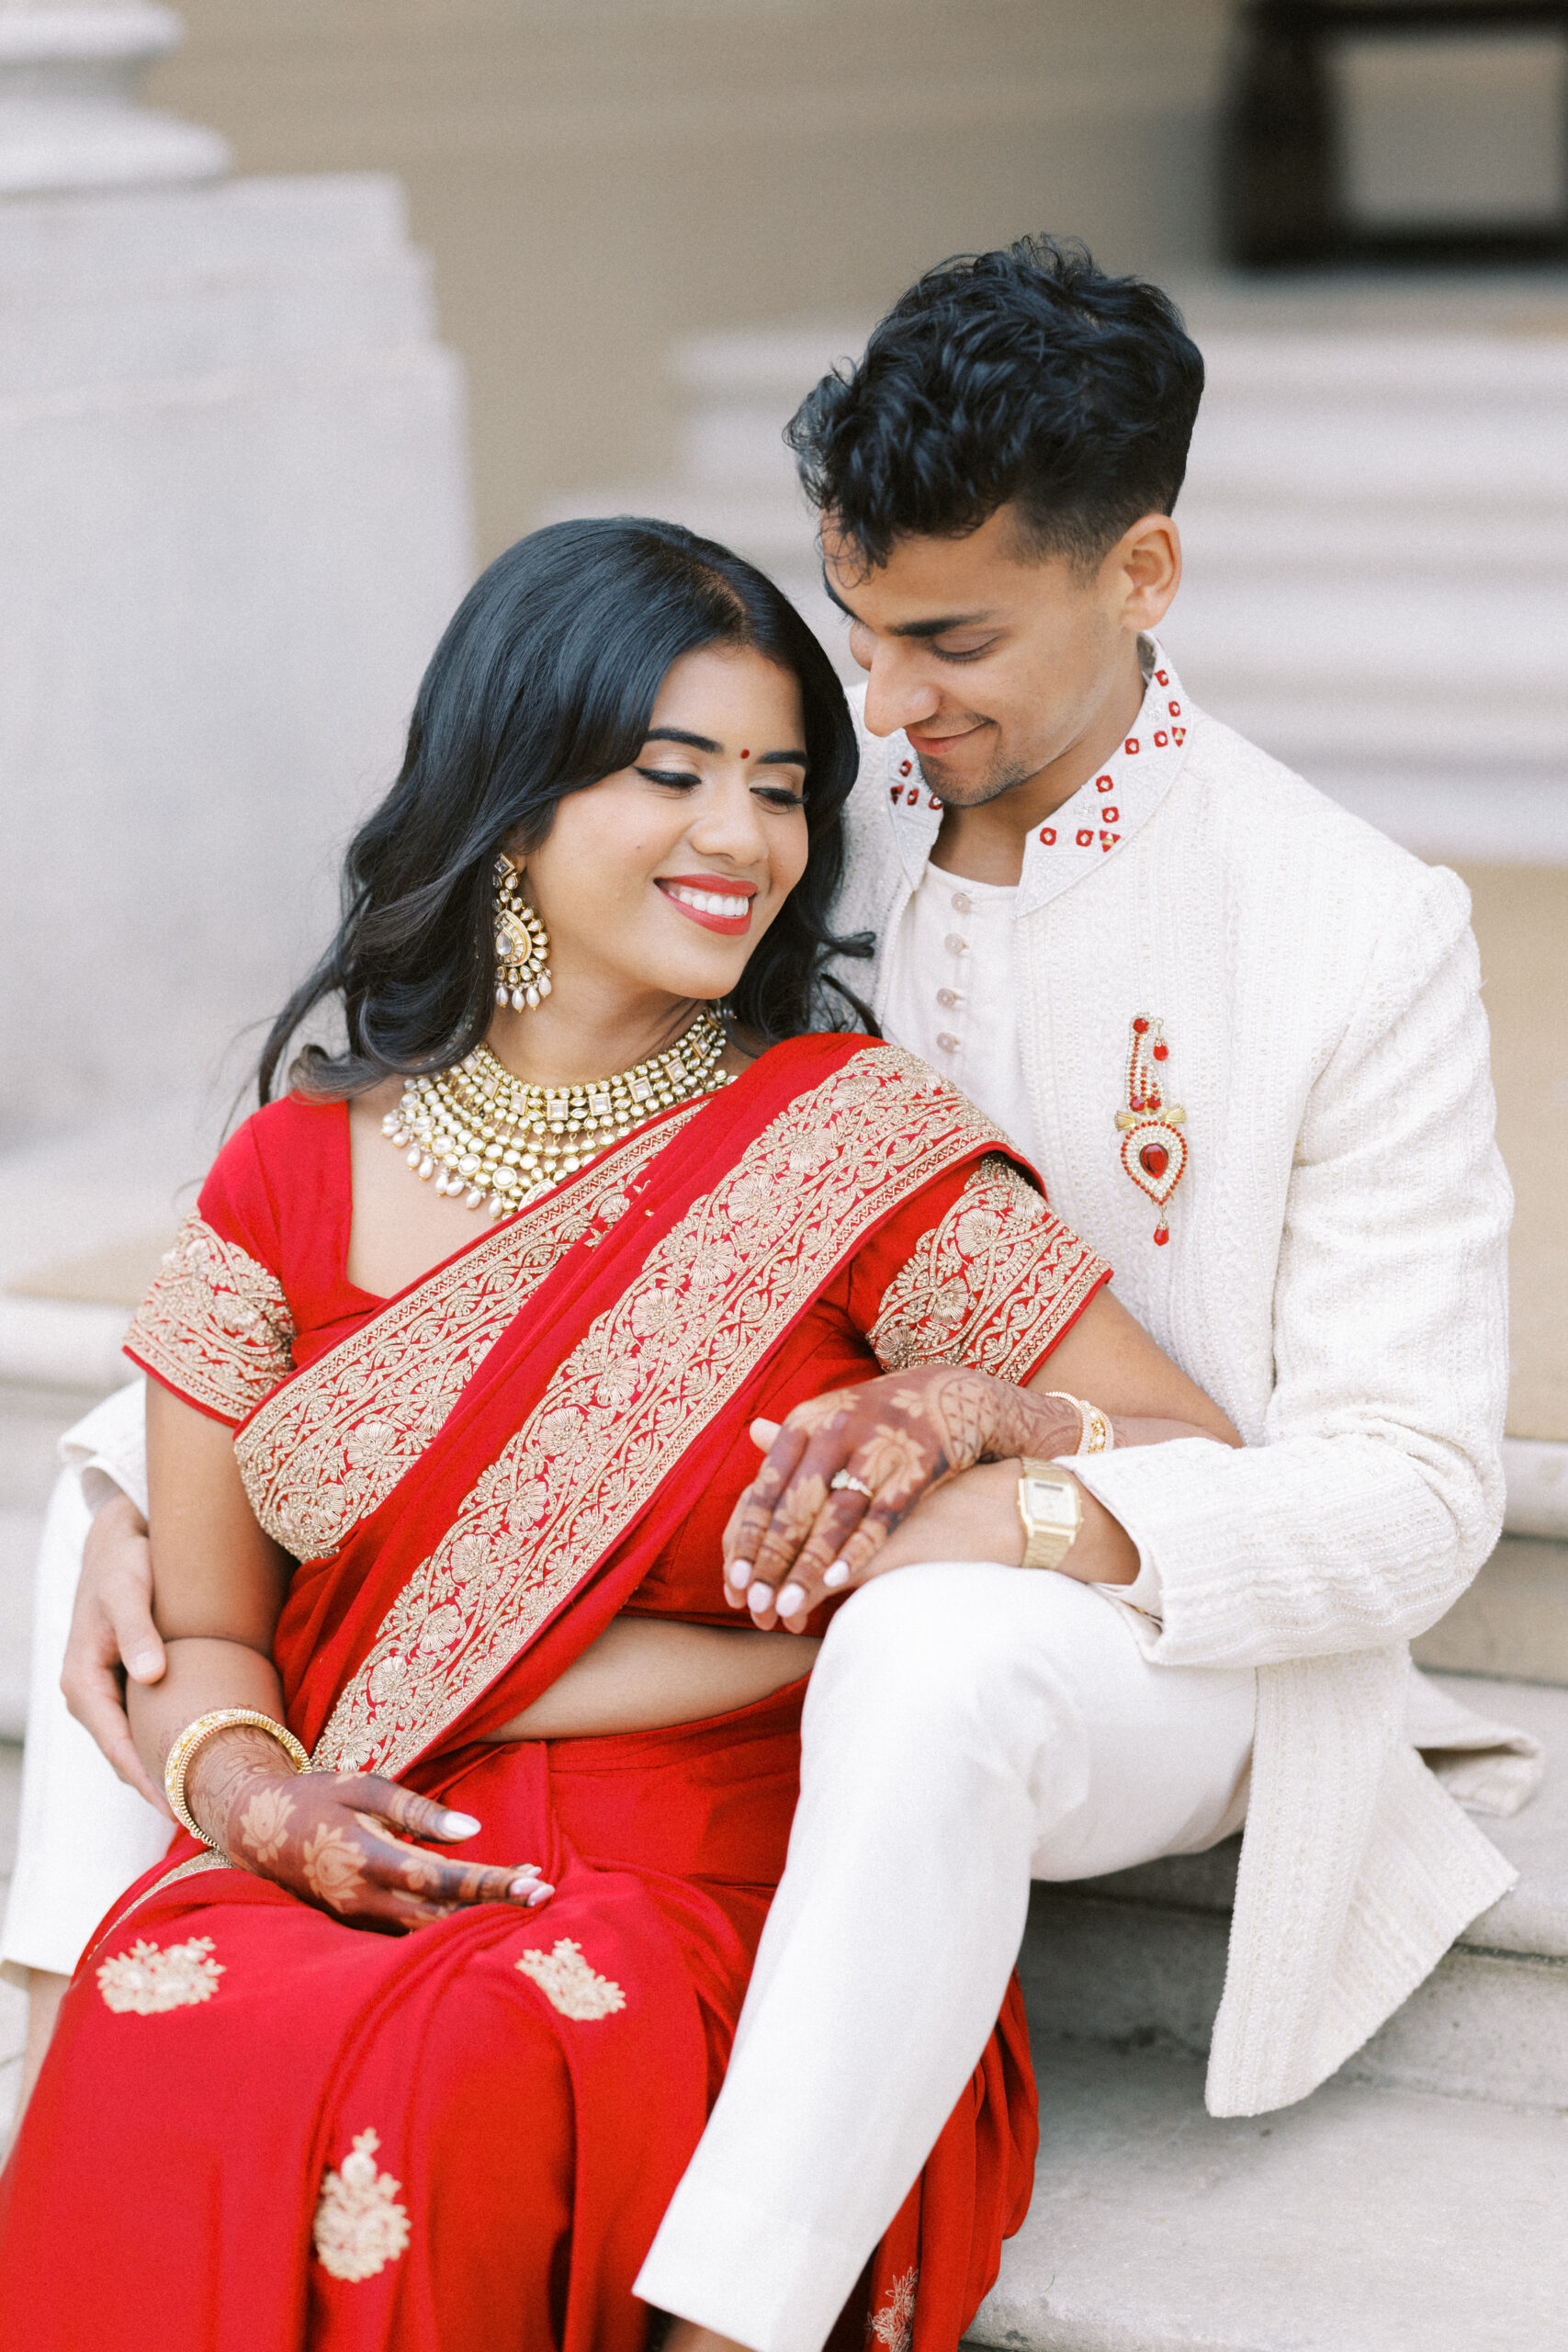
<point>648,1377</point>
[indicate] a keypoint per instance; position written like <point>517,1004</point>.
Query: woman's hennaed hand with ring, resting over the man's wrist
<point>796,1537</point>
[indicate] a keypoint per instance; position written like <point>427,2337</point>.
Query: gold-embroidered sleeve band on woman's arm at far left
<point>215,1325</point>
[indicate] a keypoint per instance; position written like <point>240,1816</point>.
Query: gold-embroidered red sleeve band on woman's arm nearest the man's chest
<point>993,1285</point>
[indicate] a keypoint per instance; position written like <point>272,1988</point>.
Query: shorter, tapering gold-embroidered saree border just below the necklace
<point>328,1450</point>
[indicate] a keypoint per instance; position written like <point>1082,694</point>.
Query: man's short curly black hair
<point>1019,377</point>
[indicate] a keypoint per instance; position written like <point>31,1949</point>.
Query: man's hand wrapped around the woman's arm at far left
<point>112,1636</point>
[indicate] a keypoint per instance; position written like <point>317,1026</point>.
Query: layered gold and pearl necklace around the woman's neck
<point>500,1142</point>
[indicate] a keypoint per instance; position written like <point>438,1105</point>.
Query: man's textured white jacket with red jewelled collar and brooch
<point>1334,1278</point>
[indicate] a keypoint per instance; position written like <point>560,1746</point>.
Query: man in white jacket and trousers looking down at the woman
<point>1242,1041</point>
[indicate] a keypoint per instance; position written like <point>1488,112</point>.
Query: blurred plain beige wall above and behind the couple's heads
<point>598,178</point>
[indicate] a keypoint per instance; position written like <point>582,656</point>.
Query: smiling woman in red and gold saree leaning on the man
<point>413,2045</point>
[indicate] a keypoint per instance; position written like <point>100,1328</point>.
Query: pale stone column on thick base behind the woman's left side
<point>234,521</point>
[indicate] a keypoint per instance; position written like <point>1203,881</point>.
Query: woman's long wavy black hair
<point>544,686</point>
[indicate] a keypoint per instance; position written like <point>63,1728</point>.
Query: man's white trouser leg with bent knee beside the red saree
<point>967,1728</point>
